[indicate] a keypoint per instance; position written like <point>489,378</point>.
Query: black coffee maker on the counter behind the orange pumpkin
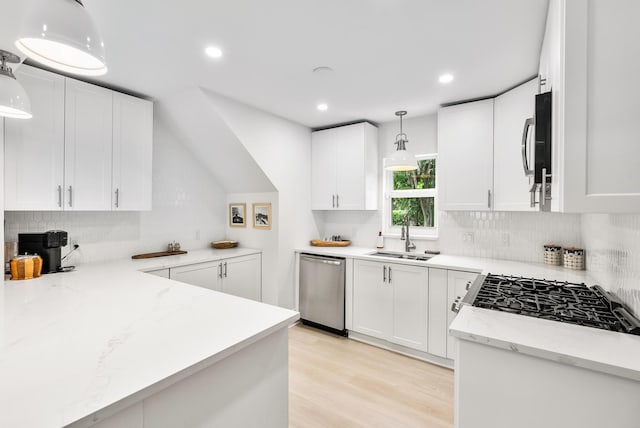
<point>47,245</point>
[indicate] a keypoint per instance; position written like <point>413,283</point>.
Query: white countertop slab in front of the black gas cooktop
<point>615,353</point>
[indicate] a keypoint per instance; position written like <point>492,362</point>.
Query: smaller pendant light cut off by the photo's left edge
<point>14,101</point>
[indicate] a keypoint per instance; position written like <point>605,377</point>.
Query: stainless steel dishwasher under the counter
<point>322,292</point>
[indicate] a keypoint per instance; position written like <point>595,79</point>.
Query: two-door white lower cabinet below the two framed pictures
<point>239,276</point>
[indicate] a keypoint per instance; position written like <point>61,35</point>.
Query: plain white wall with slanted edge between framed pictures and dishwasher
<point>282,149</point>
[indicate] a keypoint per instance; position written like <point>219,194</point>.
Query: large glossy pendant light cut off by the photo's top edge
<point>61,34</point>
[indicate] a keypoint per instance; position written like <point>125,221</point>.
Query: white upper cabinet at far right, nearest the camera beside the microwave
<point>591,62</point>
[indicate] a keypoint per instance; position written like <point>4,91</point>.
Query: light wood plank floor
<point>336,382</point>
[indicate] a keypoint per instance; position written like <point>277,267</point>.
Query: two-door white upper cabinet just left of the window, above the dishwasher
<point>344,168</point>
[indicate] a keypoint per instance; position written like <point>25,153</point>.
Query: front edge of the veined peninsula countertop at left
<point>110,410</point>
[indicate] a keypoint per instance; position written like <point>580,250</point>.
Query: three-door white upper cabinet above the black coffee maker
<point>86,148</point>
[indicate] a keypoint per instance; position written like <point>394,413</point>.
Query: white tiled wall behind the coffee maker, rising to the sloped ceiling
<point>188,206</point>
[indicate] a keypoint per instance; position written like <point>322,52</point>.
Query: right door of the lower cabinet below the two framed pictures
<point>241,276</point>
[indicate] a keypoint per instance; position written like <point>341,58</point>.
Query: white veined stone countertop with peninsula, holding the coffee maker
<point>106,336</point>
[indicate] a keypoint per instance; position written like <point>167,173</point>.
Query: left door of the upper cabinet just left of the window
<point>323,169</point>
